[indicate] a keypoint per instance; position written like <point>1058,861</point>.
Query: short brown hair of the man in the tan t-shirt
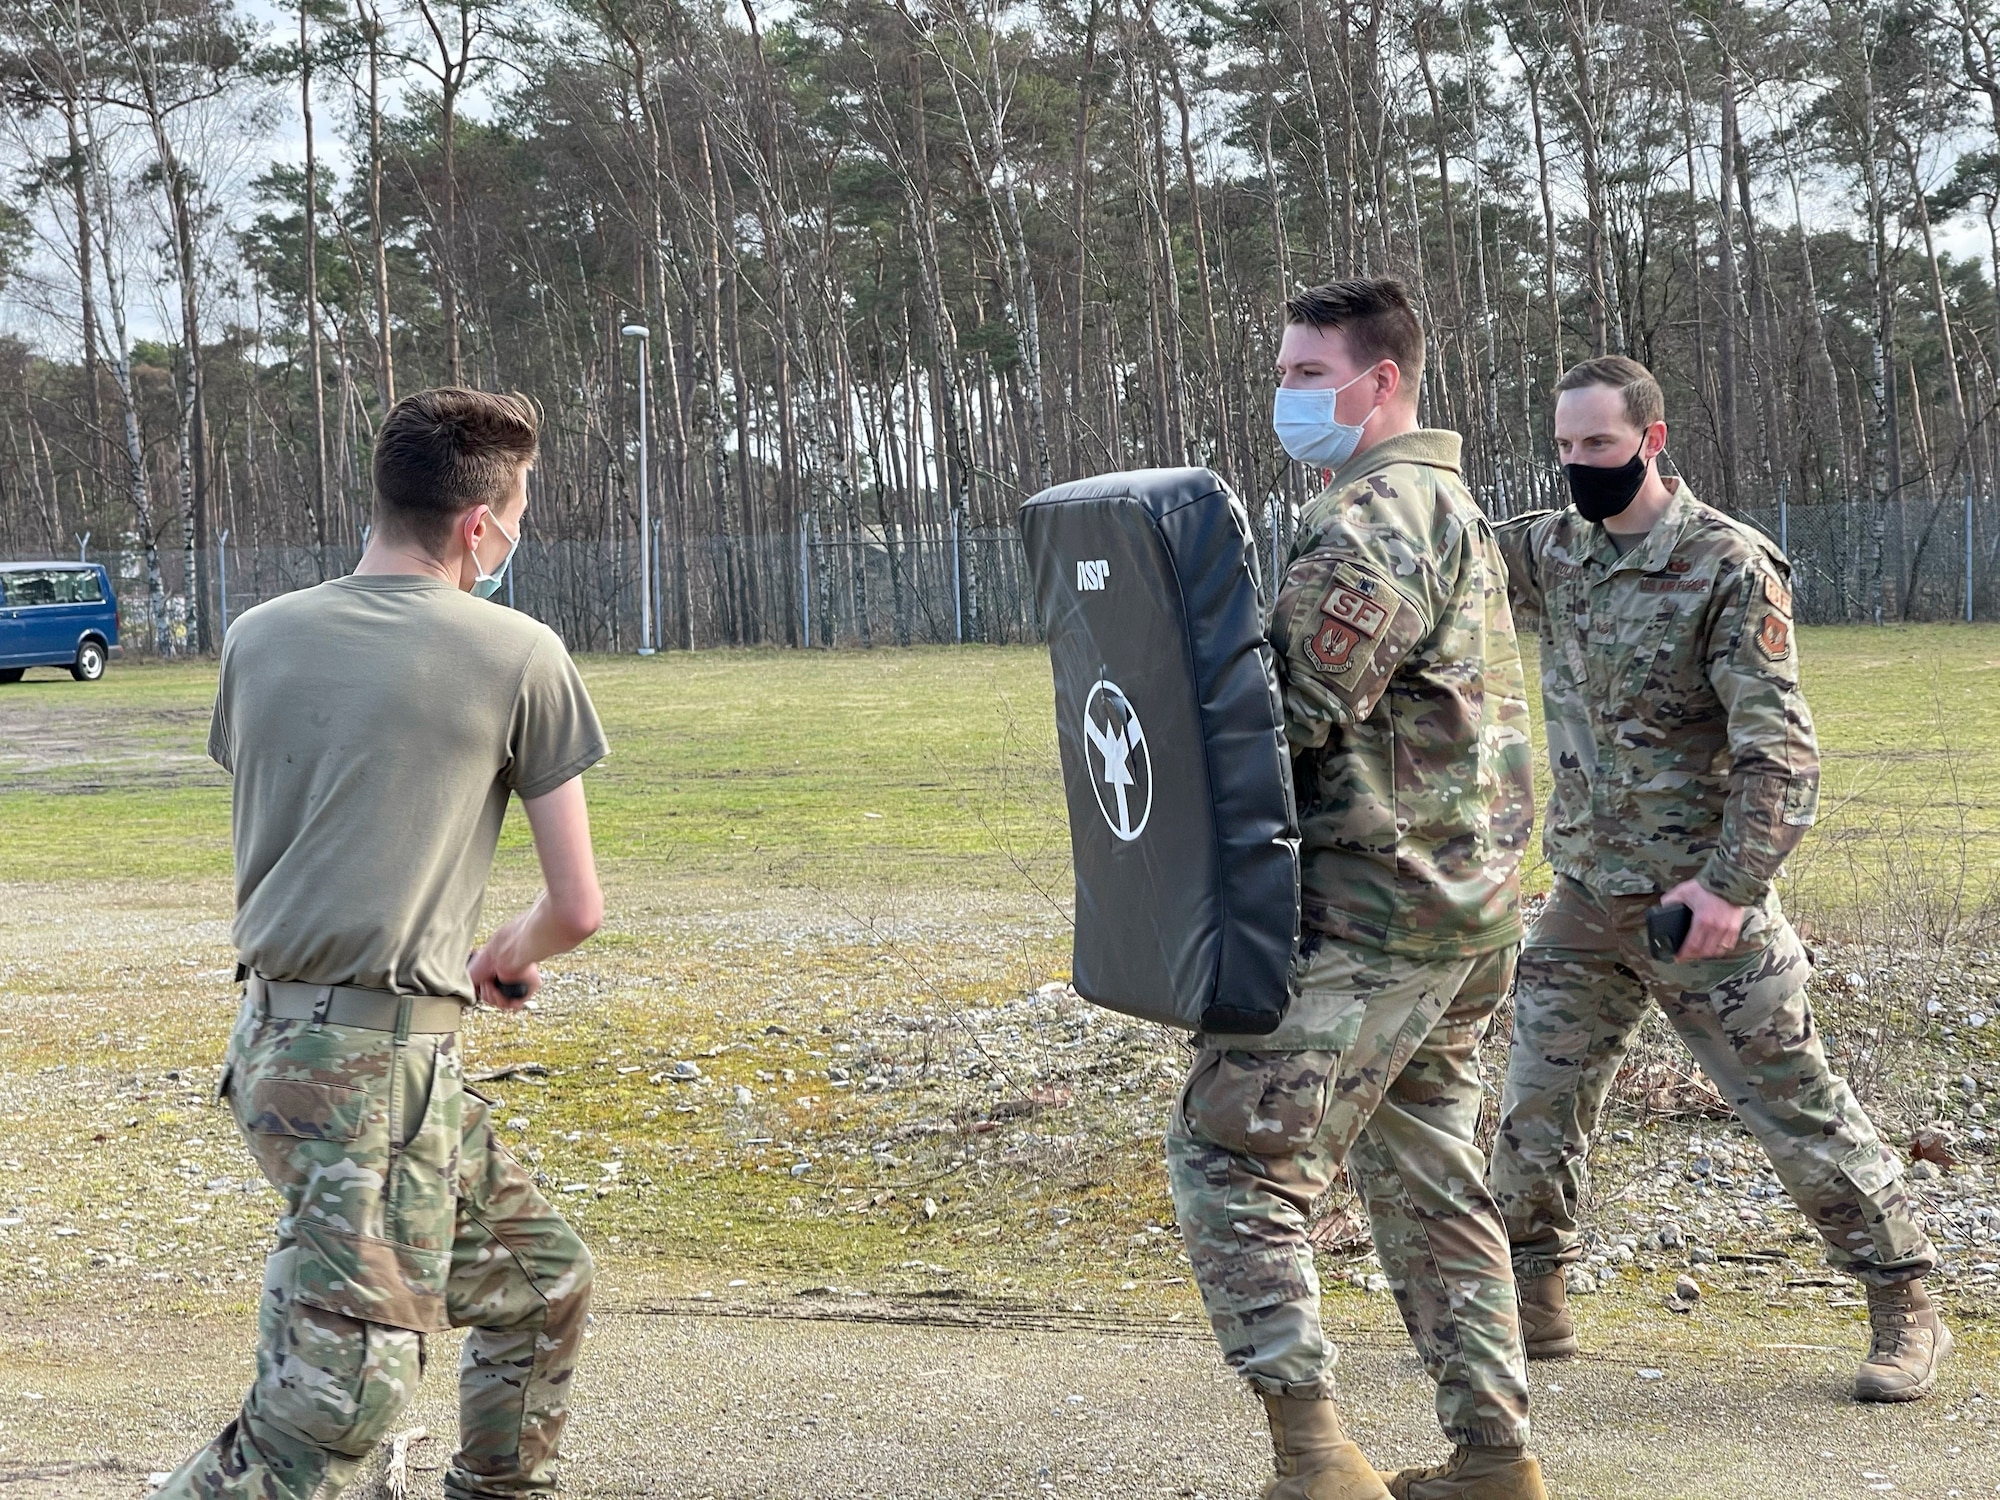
<point>443,453</point>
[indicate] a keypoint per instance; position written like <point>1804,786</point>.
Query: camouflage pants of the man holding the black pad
<point>1377,1071</point>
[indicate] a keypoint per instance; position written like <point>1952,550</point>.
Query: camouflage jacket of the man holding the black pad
<point>1407,709</point>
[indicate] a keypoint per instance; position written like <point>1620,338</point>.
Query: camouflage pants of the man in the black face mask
<point>1585,987</point>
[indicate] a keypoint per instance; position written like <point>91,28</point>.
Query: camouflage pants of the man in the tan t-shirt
<point>403,1215</point>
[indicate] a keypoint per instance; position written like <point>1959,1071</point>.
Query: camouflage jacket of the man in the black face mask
<point>1677,733</point>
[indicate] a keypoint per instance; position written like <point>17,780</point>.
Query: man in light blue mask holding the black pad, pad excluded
<point>1407,717</point>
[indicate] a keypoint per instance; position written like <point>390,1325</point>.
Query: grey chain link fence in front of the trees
<point>1853,563</point>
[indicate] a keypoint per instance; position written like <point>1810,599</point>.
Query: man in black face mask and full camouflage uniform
<point>1685,773</point>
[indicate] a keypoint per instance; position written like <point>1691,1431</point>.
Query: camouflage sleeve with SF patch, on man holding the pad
<point>1351,609</point>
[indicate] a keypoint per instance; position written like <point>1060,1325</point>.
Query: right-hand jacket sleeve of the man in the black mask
<point>1775,773</point>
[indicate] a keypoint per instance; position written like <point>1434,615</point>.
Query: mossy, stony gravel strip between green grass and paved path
<point>891,1097</point>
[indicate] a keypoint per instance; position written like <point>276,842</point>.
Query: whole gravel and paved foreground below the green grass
<point>893,1123</point>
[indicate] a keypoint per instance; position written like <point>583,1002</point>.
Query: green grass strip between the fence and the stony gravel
<point>927,769</point>
